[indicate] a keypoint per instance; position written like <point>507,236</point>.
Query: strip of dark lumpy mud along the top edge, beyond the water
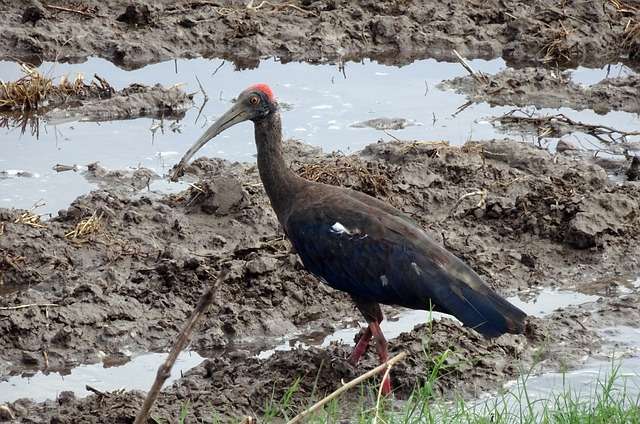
<point>400,31</point>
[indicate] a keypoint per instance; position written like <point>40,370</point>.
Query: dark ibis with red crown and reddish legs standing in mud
<point>358,244</point>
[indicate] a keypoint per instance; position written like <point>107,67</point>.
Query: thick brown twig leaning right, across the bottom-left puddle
<point>164,371</point>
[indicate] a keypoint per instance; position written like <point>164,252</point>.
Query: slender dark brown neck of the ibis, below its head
<point>279,181</point>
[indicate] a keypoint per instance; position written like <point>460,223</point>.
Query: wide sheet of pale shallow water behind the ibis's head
<point>321,103</point>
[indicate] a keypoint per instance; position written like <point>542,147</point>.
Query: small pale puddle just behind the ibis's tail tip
<point>549,300</point>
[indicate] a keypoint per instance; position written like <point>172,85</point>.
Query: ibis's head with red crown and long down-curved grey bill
<point>253,104</point>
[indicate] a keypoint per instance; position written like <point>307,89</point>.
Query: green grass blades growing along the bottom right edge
<point>608,402</point>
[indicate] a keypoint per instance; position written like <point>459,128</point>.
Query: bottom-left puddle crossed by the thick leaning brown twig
<point>137,374</point>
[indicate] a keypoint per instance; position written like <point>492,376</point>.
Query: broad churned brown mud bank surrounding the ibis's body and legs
<point>522,217</point>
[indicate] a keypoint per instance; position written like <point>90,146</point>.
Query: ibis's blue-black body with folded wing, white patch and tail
<point>381,257</point>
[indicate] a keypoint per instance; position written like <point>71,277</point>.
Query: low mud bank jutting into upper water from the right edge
<point>551,89</point>
